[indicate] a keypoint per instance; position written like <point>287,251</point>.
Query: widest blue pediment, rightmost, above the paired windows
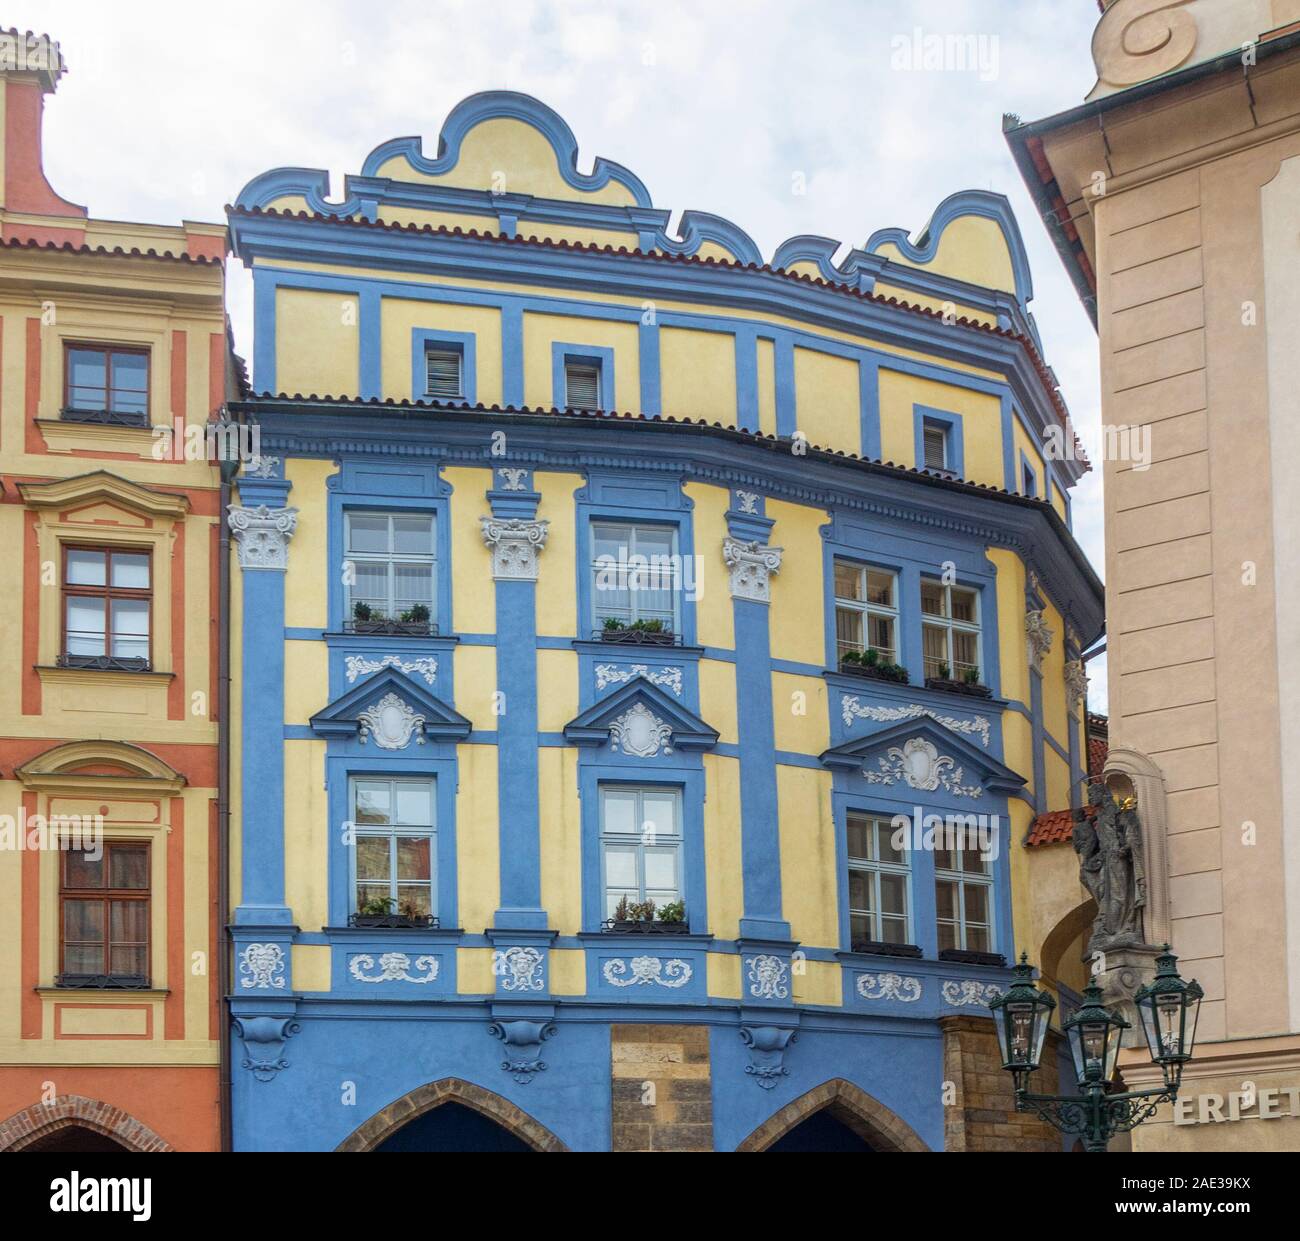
<point>924,754</point>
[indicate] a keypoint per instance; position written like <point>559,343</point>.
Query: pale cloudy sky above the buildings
<point>717,107</point>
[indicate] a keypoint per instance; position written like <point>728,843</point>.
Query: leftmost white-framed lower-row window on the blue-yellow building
<point>395,836</point>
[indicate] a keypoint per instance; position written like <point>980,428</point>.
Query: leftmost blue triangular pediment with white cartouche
<point>392,713</point>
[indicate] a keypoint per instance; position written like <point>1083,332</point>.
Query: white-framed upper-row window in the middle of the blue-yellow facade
<point>635,576</point>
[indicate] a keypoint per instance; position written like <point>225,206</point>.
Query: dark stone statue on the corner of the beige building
<point>1112,870</point>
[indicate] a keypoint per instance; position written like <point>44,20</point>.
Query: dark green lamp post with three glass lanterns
<point>1168,1008</point>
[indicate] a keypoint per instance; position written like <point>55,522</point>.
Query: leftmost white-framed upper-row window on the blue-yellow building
<point>393,566</point>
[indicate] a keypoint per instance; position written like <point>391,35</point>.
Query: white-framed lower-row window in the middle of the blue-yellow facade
<point>640,847</point>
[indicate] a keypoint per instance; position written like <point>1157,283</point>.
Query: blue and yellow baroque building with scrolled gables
<point>587,566</point>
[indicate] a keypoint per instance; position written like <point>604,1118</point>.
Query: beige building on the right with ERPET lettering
<point>1173,196</point>
